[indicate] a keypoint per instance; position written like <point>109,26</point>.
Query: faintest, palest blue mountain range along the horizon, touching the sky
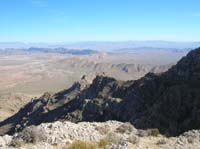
<point>104,45</point>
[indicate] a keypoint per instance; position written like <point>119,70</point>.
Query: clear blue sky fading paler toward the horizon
<point>99,20</point>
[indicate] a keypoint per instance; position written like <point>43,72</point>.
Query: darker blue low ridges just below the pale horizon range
<point>72,51</point>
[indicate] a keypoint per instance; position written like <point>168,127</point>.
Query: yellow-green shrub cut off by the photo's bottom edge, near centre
<point>82,145</point>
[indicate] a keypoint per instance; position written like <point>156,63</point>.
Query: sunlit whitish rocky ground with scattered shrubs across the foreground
<point>108,135</point>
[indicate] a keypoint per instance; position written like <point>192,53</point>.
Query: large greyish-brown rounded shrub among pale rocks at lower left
<point>31,135</point>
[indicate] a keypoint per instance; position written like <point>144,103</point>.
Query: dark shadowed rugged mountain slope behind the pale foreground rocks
<point>168,101</point>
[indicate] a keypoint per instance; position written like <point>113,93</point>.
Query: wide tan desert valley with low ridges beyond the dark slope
<point>28,73</point>
